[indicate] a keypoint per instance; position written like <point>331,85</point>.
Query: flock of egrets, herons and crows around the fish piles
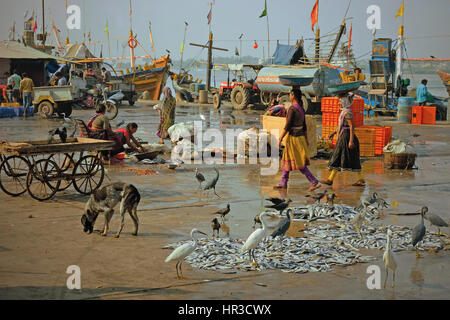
<point>281,206</point>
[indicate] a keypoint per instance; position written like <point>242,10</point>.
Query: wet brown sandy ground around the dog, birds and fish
<point>39,240</point>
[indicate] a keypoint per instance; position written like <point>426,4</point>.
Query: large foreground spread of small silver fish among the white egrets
<point>323,247</point>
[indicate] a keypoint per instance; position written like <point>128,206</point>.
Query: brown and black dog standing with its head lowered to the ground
<point>105,199</point>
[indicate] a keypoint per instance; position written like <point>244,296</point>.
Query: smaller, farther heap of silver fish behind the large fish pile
<point>339,212</point>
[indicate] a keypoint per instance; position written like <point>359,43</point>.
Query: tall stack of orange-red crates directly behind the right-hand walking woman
<point>331,111</point>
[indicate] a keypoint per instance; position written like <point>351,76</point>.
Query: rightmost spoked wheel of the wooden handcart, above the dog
<point>88,174</point>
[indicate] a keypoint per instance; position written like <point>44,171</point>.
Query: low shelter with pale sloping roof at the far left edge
<point>17,56</point>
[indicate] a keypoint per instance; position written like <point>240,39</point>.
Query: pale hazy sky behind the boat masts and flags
<point>232,17</point>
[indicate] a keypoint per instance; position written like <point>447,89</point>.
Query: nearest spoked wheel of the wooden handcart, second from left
<point>43,179</point>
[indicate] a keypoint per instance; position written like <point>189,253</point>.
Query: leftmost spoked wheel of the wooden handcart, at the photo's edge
<point>13,175</point>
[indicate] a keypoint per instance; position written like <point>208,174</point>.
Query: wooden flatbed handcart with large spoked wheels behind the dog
<point>42,168</point>
